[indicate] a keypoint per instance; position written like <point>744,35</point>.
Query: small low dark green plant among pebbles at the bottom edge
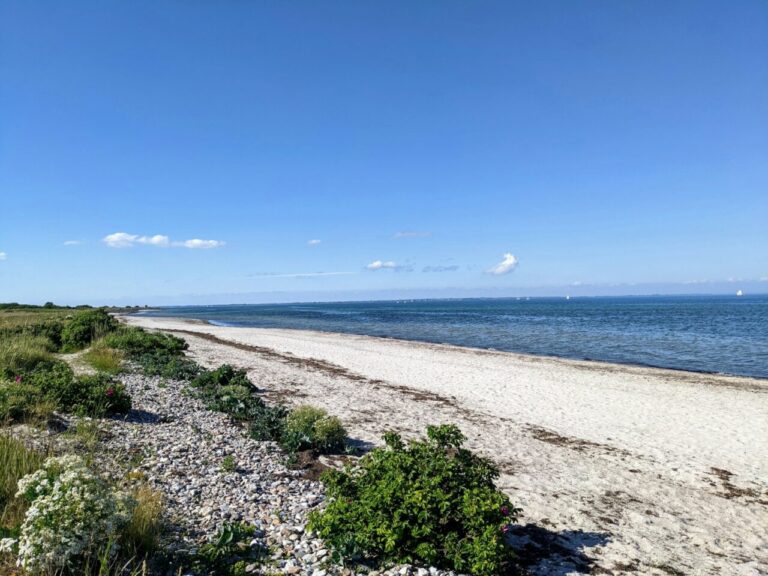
<point>229,551</point>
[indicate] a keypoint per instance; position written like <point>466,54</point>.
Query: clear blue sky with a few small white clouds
<point>233,151</point>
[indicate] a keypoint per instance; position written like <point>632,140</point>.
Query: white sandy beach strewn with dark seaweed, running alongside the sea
<point>638,470</point>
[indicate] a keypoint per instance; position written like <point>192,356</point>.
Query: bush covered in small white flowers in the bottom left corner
<point>72,513</point>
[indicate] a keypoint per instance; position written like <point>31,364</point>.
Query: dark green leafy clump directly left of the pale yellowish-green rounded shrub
<point>229,390</point>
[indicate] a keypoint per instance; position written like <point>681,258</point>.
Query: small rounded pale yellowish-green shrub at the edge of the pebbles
<point>311,428</point>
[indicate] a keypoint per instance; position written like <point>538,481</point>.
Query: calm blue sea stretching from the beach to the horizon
<point>726,334</point>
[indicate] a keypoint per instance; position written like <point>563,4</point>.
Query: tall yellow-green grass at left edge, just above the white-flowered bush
<point>17,461</point>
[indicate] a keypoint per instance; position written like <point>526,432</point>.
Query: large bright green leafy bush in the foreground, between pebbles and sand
<point>431,501</point>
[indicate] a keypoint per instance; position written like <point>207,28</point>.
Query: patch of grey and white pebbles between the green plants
<point>177,445</point>
